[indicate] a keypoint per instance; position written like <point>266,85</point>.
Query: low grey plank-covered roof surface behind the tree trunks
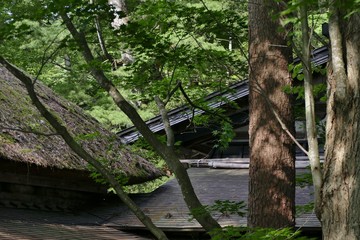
<point>167,208</point>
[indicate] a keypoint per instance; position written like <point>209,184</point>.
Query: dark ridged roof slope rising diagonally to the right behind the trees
<point>236,91</point>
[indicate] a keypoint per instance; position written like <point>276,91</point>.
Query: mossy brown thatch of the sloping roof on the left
<point>17,112</point>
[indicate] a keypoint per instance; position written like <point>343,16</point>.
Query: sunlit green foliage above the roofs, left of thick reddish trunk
<point>170,41</point>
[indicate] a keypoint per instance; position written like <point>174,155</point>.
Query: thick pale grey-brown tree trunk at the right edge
<point>341,182</point>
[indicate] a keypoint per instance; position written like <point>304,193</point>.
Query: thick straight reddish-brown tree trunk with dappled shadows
<point>272,160</point>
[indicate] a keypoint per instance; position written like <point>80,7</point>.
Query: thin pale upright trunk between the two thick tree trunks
<point>313,151</point>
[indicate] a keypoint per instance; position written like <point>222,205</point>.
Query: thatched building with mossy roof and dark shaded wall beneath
<point>37,169</point>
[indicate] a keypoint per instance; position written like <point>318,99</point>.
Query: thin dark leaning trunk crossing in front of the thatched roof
<point>61,130</point>
